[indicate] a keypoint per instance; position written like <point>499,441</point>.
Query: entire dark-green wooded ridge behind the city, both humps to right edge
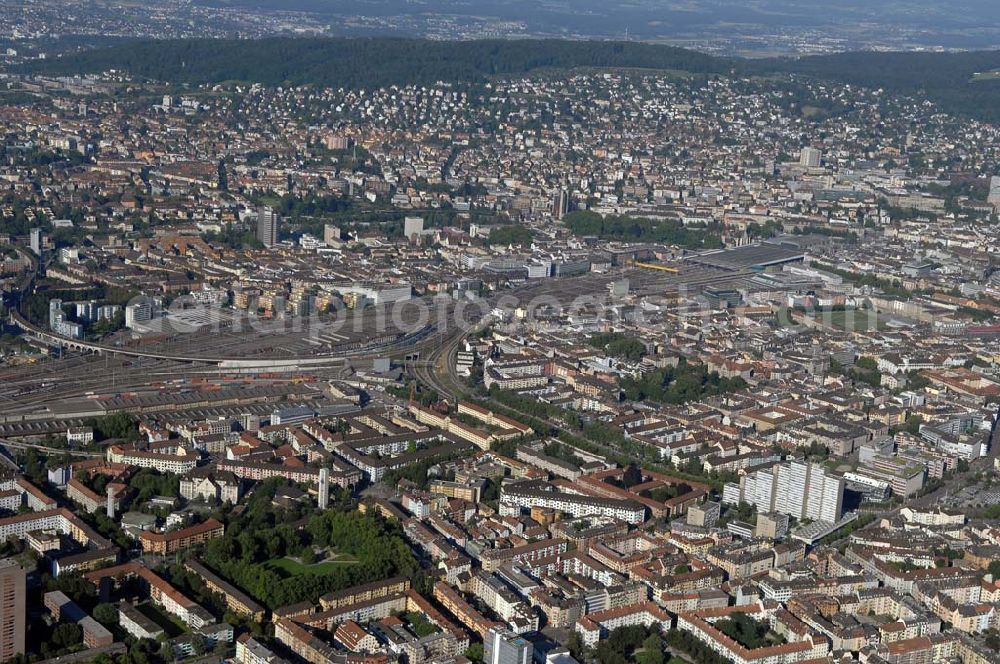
<point>949,79</point>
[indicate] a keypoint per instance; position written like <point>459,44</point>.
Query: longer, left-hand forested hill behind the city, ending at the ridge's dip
<point>371,62</point>
